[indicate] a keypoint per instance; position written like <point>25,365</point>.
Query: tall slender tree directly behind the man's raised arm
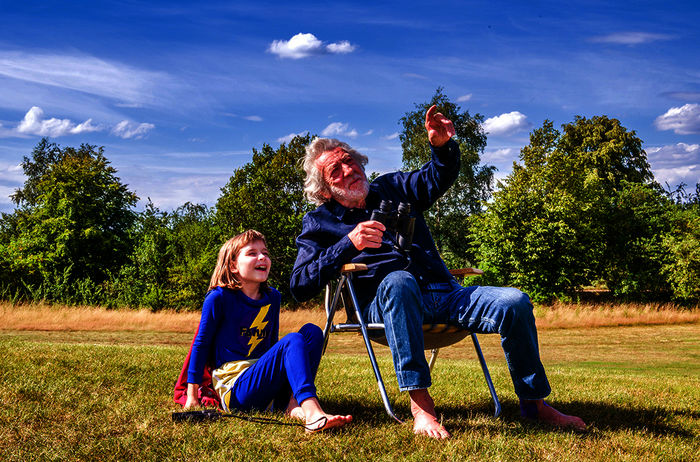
<point>448,218</point>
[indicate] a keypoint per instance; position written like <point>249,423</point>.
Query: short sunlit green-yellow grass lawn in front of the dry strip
<point>107,396</point>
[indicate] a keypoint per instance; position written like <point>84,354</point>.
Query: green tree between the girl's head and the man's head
<point>267,194</point>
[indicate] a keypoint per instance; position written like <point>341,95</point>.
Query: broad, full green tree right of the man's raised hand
<point>578,210</point>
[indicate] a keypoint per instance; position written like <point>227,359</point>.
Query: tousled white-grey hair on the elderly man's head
<point>315,188</point>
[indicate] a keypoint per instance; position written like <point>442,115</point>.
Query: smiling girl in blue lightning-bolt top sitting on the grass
<point>239,330</point>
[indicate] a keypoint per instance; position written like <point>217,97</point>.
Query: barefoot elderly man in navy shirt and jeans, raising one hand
<point>405,289</point>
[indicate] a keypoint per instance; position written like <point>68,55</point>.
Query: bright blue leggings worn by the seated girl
<point>288,368</point>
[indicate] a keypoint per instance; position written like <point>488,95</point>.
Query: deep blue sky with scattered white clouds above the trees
<point>179,93</point>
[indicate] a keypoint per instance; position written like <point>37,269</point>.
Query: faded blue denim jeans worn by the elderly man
<point>403,307</point>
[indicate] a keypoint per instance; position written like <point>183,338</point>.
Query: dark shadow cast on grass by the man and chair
<point>598,416</point>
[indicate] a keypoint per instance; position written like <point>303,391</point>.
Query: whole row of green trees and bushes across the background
<point>580,209</point>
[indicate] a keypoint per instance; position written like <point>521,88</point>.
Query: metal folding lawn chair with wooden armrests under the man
<point>435,336</point>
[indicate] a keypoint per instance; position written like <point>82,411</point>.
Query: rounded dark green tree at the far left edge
<point>72,219</point>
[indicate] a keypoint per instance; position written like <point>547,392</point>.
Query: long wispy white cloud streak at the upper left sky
<point>128,85</point>
